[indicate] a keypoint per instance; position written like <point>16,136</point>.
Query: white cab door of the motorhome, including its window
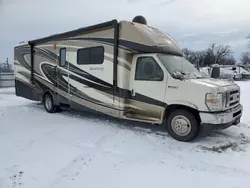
<point>148,87</point>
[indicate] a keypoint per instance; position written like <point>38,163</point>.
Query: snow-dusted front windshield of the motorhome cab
<point>178,66</point>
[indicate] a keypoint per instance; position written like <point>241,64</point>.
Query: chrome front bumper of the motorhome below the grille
<point>222,119</point>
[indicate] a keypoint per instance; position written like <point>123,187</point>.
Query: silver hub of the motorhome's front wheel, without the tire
<point>181,125</point>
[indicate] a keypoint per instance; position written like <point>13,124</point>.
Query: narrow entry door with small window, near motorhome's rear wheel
<point>63,75</point>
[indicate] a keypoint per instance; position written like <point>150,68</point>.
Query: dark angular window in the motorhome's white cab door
<point>148,69</point>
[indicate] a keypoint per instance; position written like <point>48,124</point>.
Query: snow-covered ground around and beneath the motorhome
<point>73,149</point>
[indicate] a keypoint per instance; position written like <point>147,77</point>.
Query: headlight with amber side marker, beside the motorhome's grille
<point>216,102</point>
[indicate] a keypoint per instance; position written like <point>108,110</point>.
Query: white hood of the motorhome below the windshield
<point>210,82</point>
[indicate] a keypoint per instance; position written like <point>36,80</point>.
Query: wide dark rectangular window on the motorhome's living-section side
<point>93,55</point>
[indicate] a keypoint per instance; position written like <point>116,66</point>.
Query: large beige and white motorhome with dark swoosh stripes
<point>127,70</point>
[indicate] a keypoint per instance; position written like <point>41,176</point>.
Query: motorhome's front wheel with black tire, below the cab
<point>182,125</point>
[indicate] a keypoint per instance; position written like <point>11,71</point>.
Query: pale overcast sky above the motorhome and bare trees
<point>193,23</point>
